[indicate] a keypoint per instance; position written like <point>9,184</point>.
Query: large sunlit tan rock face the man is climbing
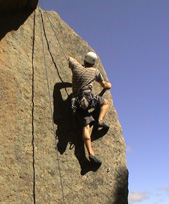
<point>43,161</point>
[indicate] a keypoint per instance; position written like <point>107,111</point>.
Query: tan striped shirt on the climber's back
<point>83,77</point>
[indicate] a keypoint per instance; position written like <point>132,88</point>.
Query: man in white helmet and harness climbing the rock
<point>84,99</point>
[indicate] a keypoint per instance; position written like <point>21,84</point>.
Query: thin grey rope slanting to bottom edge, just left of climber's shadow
<point>49,95</point>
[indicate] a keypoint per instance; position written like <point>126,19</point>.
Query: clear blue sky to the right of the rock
<point>131,38</point>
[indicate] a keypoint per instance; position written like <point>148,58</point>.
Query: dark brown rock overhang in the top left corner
<point>14,5</point>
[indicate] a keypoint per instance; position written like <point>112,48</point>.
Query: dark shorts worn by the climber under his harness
<point>85,117</point>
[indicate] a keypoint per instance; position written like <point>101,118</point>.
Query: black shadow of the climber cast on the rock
<point>69,130</point>
